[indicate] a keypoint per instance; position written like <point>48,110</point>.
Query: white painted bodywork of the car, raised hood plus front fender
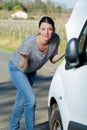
<point>69,87</point>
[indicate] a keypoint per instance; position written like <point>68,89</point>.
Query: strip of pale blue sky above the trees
<point>66,3</point>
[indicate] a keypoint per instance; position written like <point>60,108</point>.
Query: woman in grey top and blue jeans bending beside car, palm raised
<point>25,61</point>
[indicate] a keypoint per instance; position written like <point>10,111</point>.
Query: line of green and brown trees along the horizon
<point>30,6</point>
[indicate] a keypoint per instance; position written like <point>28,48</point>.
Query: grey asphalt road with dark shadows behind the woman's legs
<point>8,92</point>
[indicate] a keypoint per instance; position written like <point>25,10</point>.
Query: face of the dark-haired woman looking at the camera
<point>46,31</point>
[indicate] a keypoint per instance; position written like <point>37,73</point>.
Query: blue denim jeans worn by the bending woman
<point>25,98</point>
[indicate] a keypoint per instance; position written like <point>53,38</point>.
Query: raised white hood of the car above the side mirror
<point>77,19</point>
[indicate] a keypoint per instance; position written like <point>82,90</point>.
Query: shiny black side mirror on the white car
<point>72,54</point>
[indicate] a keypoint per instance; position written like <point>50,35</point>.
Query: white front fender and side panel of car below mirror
<point>70,103</point>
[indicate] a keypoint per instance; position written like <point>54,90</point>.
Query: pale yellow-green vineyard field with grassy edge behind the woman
<point>12,32</point>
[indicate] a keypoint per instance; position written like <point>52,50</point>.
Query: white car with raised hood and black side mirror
<point>67,106</point>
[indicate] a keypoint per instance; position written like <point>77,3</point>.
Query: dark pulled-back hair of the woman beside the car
<point>47,19</point>
